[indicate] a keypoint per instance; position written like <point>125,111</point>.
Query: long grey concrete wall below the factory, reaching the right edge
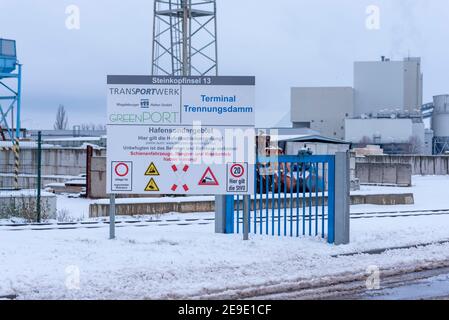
<point>421,165</point>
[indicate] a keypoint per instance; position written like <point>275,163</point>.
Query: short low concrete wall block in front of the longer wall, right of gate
<point>384,174</point>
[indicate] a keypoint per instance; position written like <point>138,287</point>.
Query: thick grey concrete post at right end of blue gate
<point>342,198</point>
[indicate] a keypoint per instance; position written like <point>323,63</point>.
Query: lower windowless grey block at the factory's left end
<point>323,108</point>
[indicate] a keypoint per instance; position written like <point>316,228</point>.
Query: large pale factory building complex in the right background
<point>383,107</point>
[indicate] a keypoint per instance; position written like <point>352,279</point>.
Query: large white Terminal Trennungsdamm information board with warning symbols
<point>181,135</point>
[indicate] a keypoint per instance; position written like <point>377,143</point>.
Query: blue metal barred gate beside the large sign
<point>295,196</point>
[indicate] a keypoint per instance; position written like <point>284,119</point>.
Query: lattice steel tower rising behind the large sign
<point>185,38</point>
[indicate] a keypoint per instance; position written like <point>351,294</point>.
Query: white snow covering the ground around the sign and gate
<point>182,261</point>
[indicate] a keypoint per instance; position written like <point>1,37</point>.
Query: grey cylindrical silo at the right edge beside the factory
<point>440,123</point>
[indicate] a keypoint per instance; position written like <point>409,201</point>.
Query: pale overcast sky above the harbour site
<point>284,43</point>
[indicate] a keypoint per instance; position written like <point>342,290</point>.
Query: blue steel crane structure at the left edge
<point>10,91</point>
